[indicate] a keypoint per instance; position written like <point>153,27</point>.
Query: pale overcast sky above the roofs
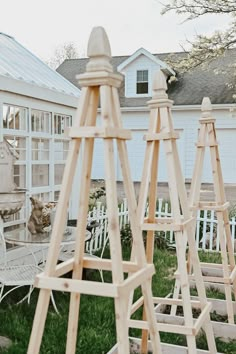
<point>43,26</point>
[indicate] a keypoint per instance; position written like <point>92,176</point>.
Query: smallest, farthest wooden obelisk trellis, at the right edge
<point>227,269</point>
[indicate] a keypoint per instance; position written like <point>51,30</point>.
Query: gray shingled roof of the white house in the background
<point>190,88</point>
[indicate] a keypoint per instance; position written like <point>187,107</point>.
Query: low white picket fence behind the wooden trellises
<point>206,229</point>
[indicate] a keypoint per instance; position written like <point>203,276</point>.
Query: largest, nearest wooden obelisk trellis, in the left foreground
<point>98,81</point>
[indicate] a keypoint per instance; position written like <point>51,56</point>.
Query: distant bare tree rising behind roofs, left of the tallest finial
<point>65,51</point>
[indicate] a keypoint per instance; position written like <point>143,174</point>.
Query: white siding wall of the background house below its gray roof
<point>187,124</point>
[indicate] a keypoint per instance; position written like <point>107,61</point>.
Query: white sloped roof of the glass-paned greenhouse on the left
<point>19,64</point>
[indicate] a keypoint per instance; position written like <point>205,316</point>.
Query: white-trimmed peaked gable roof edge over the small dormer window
<point>144,52</point>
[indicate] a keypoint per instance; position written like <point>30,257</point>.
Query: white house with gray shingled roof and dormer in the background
<point>187,93</point>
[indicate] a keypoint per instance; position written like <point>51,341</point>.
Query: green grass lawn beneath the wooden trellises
<point>97,333</point>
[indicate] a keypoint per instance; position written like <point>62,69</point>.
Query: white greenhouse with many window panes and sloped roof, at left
<point>36,105</point>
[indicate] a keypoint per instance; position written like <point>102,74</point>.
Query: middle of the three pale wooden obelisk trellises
<point>161,130</point>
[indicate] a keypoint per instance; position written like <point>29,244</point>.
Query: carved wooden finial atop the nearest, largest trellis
<point>99,51</point>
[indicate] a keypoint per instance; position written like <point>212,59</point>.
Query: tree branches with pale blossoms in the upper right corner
<point>205,48</point>
